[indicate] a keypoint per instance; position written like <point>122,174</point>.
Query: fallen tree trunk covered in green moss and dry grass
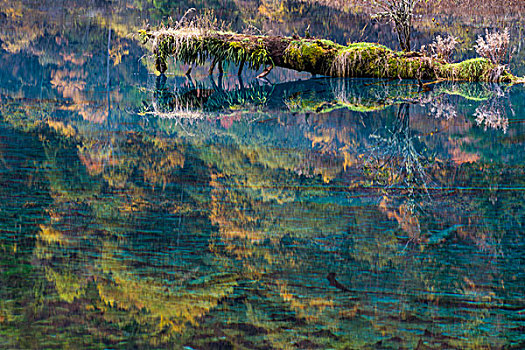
<point>323,57</point>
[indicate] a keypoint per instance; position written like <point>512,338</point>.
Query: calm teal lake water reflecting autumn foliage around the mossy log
<point>148,212</point>
